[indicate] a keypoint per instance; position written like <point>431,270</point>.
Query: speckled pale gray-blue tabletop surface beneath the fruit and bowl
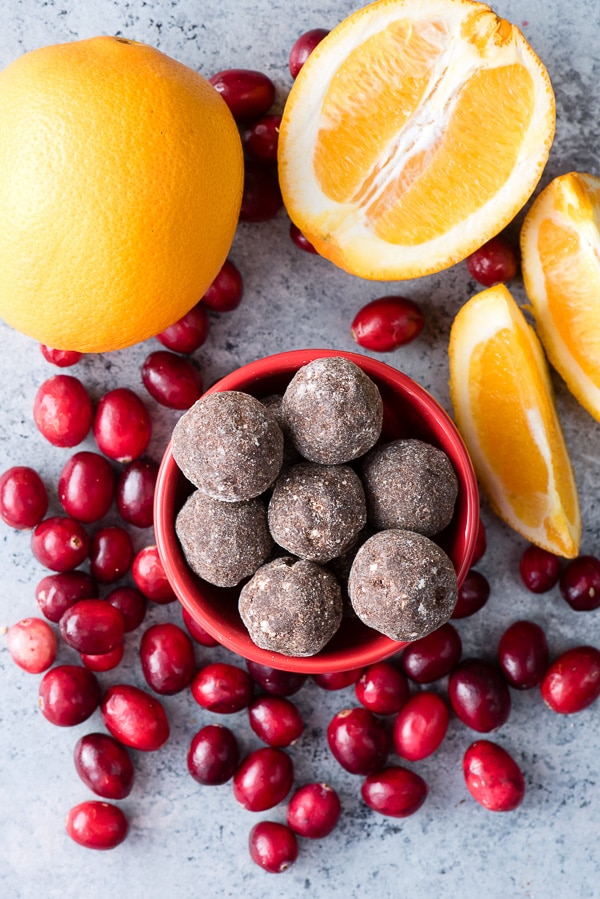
<point>189,842</point>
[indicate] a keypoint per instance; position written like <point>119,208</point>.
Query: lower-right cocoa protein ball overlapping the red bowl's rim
<point>402,584</point>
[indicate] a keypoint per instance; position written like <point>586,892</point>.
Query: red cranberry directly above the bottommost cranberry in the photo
<point>263,779</point>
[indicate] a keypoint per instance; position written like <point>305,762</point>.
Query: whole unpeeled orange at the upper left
<point>121,175</point>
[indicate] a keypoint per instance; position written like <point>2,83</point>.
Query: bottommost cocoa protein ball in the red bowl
<point>291,606</point>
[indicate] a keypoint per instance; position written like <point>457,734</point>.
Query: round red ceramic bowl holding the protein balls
<point>409,411</point>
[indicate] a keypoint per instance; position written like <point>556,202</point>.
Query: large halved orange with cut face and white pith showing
<point>415,131</point>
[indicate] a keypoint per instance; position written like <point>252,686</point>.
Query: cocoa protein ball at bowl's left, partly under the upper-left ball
<point>223,543</point>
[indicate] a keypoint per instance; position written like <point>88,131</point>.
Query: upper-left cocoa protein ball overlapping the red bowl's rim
<point>229,445</point>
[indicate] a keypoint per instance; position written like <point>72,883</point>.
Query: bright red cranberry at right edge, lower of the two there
<point>572,682</point>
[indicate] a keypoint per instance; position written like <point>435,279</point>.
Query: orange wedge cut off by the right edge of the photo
<point>560,249</point>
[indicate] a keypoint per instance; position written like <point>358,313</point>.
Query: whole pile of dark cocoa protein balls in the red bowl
<point>298,493</point>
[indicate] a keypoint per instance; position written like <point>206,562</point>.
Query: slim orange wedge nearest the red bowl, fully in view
<point>504,408</point>
